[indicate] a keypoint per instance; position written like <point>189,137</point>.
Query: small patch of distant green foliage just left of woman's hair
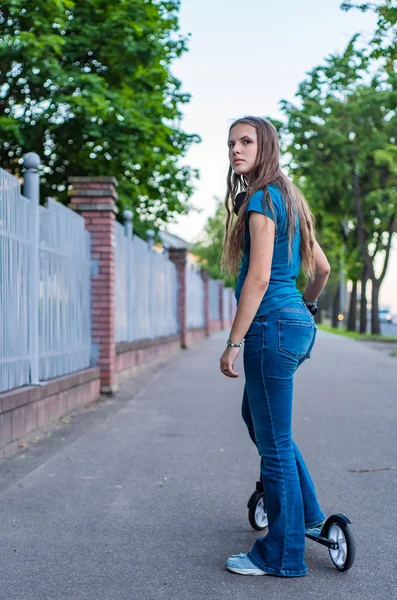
<point>209,250</point>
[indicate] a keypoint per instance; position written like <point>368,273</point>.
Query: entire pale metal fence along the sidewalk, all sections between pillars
<point>45,288</point>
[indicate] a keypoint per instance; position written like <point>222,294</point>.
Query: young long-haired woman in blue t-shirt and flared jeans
<point>274,232</point>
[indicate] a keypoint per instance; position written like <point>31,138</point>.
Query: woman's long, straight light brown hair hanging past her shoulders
<point>266,170</point>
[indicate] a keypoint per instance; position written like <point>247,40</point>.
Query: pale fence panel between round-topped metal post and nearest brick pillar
<point>64,292</point>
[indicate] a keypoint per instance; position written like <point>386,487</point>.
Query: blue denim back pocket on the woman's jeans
<point>295,336</point>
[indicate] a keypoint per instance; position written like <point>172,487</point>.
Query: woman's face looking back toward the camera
<point>243,147</point>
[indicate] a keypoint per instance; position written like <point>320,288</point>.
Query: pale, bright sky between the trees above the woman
<point>243,58</point>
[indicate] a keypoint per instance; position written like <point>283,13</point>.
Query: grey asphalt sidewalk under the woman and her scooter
<point>145,498</point>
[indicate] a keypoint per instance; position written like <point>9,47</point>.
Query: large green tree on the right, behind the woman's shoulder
<point>342,139</point>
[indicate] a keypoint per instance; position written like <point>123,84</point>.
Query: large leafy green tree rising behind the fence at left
<point>87,85</point>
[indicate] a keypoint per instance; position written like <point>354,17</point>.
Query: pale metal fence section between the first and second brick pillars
<point>146,289</point>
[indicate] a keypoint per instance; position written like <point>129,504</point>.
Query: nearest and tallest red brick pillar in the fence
<point>94,198</point>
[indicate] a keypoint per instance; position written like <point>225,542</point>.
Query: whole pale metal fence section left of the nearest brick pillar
<point>45,304</point>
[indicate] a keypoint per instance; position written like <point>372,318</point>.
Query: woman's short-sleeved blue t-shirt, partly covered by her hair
<point>282,285</point>
